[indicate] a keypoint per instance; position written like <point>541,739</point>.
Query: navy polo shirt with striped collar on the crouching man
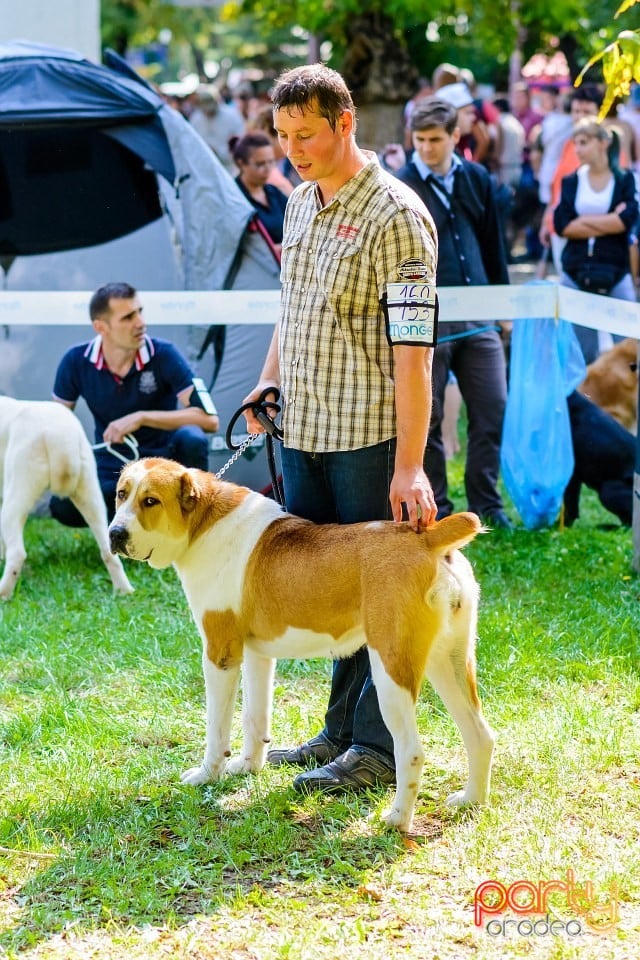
<point>158,374</point>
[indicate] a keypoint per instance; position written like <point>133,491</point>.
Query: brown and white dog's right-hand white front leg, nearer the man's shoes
<point>257,696</point>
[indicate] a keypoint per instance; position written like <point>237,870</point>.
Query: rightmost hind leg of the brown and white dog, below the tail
<point>452,672</point>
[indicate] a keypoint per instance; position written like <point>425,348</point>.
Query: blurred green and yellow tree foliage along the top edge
<point>480,34</point>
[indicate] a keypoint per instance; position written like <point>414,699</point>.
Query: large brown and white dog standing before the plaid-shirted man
<point>264,584</point>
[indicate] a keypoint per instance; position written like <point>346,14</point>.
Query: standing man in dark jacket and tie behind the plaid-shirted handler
<point>460,197</point>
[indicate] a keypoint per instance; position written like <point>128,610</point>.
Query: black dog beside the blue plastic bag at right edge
<point>604,455</point>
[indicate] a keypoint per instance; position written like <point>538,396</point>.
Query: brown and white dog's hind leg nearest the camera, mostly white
<point>398,709</point>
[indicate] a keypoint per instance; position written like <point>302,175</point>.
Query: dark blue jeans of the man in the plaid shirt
<point>346,487</point>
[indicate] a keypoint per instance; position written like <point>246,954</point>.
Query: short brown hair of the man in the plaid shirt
<point>313,87</point>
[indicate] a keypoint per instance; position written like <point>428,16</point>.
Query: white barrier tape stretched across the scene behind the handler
<point>203,308</point>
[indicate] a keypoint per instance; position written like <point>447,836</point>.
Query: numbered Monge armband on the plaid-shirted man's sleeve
<point>411,314</point>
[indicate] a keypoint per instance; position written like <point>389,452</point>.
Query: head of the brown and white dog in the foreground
<point>158,503</point>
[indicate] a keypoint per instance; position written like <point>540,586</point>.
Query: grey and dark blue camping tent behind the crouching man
<point>101,180</point>
